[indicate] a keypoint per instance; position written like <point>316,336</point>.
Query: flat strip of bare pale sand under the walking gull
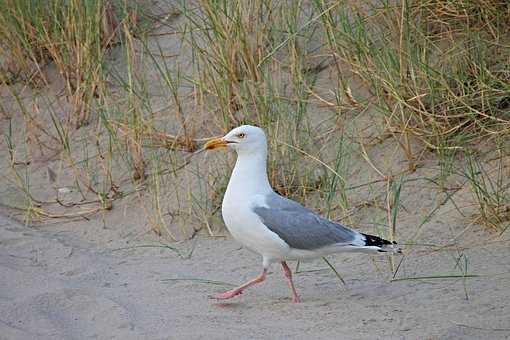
<point>56,284</point>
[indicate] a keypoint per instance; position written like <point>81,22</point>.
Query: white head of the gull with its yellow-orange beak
<point>244,139</point>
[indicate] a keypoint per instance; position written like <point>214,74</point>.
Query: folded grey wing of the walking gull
<point>300,227</point>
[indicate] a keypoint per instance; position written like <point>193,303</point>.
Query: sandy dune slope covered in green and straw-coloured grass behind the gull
<point>93,92</point>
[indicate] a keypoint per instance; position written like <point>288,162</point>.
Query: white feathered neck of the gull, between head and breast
<point>249,175</point>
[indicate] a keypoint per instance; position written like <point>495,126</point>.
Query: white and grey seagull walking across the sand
<point>273,226</point>
